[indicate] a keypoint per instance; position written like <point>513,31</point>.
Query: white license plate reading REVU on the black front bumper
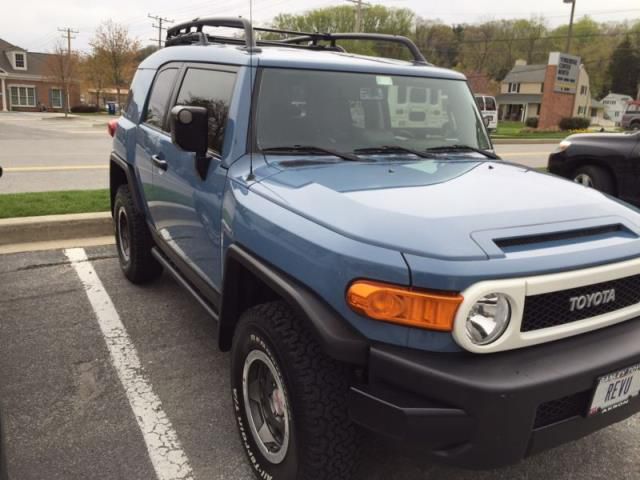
<point>615,390</point>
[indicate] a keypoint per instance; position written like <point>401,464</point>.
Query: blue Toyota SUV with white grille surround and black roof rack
<point>370,262</point>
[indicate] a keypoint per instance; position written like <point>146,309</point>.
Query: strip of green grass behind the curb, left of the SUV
<point>53,203</point>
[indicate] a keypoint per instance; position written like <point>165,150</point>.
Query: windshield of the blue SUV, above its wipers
<point>351,111</point>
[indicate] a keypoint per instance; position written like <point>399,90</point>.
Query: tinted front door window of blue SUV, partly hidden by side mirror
<point>211,89</point>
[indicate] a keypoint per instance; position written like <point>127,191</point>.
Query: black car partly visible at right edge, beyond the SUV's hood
<point>608,162</point>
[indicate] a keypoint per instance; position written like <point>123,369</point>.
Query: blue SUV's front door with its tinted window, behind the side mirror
<point>186,205</point>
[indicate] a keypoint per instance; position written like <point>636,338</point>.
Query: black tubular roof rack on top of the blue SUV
<point>189,33</point>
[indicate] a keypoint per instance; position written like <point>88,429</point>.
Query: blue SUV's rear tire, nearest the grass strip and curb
<point>138,265</point>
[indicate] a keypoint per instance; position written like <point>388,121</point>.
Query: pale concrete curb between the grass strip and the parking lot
<point>55,228</point>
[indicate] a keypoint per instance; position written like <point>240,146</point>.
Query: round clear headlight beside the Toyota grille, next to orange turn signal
<point>488,319</point>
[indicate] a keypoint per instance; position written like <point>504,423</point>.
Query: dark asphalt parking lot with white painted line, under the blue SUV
<point>71,413</point>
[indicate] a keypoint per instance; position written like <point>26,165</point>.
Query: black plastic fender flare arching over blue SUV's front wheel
<point>336,336</point>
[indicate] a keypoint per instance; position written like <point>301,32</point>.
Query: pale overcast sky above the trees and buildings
<point>33,24</point>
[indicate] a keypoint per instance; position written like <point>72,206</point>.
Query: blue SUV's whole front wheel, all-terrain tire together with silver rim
<point>290,399</point>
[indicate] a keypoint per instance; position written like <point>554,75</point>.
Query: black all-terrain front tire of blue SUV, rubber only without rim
<point>323,443</point>
